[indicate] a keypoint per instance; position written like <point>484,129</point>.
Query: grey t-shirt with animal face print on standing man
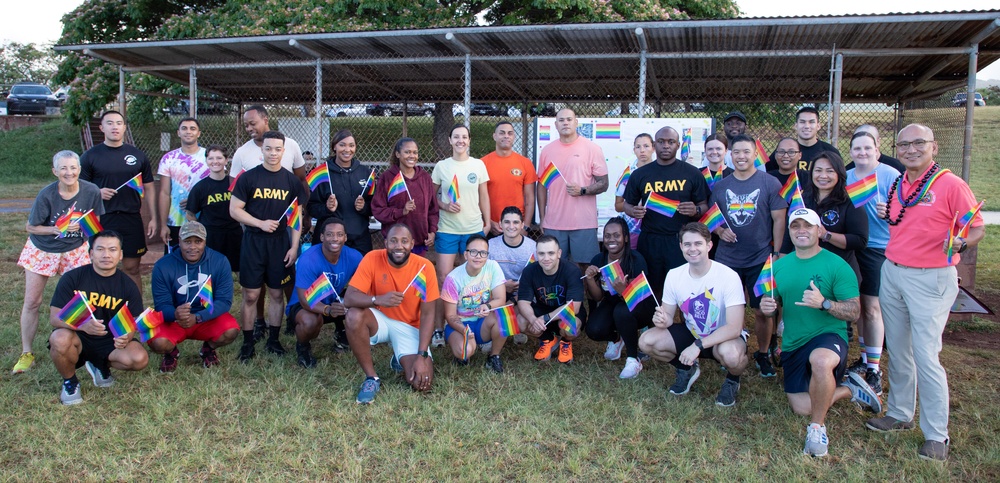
<point>747,206</point>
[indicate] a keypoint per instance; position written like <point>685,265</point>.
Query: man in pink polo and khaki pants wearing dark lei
<point>919,285</point>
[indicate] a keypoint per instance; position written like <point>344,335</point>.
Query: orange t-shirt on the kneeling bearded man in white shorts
<point>376,276</point>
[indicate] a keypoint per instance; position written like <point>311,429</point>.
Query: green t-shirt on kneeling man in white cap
<point>835,280</point>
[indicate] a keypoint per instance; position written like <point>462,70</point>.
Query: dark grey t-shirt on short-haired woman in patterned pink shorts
<point>49,206</point>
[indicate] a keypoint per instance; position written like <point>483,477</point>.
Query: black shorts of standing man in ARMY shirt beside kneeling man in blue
<point>262,261</point>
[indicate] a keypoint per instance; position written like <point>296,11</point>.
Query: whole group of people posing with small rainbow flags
<point>833,263</point>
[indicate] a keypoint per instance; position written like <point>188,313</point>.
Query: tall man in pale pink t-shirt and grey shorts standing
<point>568,210</point>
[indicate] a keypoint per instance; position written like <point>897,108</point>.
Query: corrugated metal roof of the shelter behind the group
<point>887,58</point>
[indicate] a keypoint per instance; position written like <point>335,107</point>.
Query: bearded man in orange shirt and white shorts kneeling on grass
<point>383,307</point>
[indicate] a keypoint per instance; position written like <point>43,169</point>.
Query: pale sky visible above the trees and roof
<point>45,15</point>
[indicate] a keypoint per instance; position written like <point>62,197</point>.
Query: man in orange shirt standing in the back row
<point>512,179</point>
